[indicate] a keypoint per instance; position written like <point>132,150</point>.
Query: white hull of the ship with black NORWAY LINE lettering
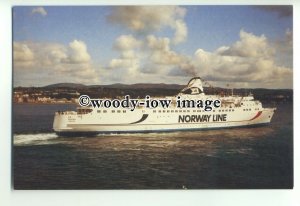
<point>147,121</point>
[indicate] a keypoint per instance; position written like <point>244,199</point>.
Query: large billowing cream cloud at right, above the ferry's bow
<point>250,60</point>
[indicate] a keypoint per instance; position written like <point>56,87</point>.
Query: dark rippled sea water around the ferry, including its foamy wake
<point>259,157</point>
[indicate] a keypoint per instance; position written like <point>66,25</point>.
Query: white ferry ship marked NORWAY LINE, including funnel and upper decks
<point>235,111</point>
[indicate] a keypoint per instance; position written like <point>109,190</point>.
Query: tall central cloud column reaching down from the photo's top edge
<point>141,52</point>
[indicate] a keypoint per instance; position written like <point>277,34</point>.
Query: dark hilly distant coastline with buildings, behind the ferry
<point>68,93</point>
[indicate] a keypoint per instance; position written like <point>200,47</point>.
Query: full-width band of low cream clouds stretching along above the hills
<point>252,61</point>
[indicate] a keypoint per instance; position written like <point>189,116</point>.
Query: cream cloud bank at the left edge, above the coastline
<point>53,62</point>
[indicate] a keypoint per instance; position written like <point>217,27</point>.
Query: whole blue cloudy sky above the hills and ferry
<point>240,46</point>
